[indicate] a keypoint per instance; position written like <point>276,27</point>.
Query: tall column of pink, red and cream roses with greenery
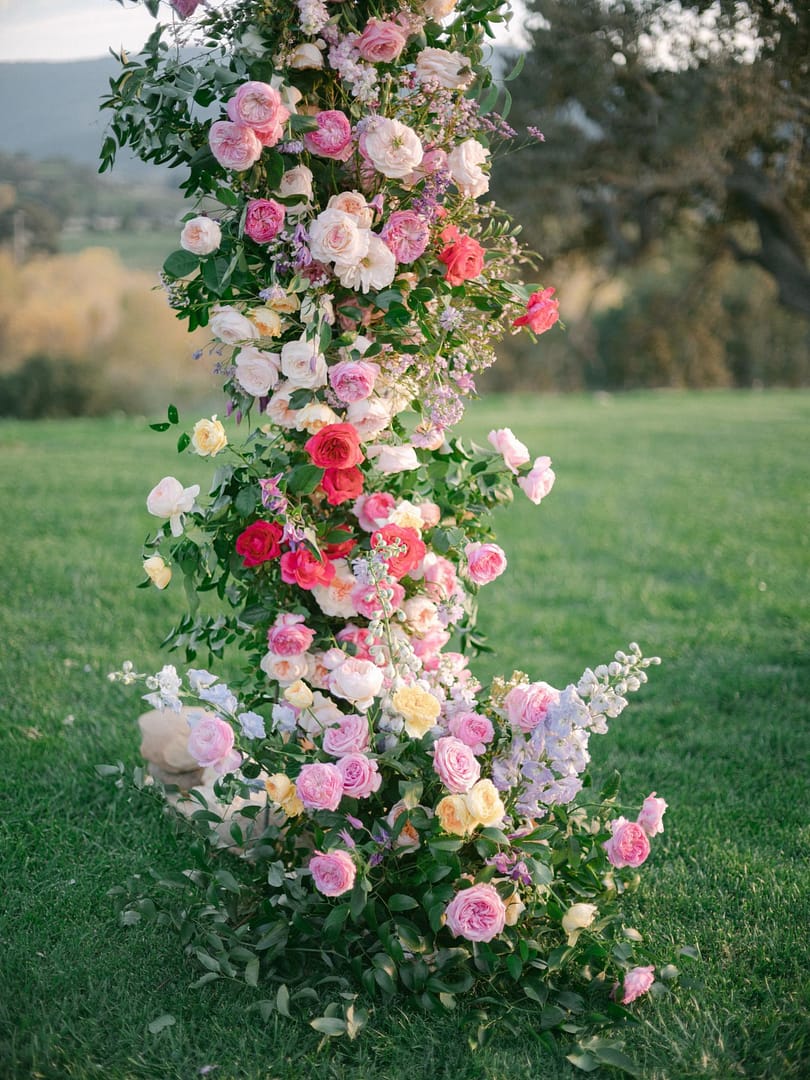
<point>427,834</point>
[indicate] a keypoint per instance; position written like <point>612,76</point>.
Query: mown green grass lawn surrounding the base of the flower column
<point>679,521</point>
